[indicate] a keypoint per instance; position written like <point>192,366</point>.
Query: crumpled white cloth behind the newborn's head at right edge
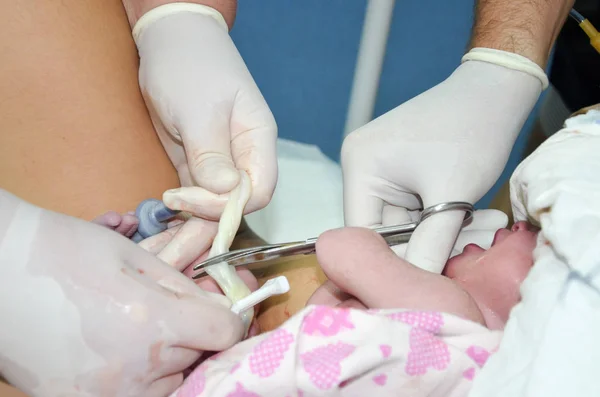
<point>551,345</point>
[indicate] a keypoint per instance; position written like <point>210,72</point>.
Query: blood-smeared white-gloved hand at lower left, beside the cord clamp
<point>86,311</point>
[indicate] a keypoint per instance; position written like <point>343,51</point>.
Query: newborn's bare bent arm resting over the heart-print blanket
<point>359,263</point>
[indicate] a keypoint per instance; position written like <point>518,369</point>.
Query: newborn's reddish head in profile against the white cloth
<point>493,277</point>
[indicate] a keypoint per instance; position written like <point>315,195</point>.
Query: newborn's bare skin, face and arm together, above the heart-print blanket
<point>478,285</point>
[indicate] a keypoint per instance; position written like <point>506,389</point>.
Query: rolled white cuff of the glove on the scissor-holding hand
<point>508,60</point>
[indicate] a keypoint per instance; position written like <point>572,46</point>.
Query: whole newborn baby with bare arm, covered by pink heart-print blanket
<point>380,325</point>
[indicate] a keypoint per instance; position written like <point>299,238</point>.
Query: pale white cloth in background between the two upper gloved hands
<point>308,197</point>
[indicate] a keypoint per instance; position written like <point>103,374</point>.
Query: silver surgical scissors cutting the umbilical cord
<point>393,235</point>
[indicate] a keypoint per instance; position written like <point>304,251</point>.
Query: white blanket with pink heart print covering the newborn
<point>326,351</point>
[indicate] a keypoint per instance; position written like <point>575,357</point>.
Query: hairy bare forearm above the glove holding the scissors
<point>525,27</point>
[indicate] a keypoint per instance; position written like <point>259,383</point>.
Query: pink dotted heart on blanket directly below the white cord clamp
<point>267,356</point>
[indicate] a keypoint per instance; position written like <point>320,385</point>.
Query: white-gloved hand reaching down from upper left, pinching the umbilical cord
<point>208,112</point>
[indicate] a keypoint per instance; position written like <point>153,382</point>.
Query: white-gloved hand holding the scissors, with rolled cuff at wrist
<point>450,143</point>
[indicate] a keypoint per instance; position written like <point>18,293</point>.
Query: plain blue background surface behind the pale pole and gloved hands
<point>302,54</point>
